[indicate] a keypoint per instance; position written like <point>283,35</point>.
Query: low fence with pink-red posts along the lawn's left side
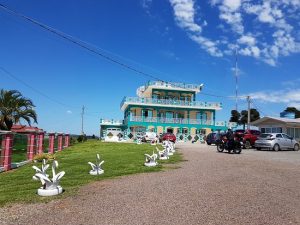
<point>17,149</point>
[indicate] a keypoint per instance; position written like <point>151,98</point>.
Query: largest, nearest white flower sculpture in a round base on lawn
<point>50,186</point>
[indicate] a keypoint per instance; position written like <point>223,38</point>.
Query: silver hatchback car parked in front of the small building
<point>276,141</point>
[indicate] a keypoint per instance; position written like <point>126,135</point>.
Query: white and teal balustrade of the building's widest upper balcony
<point>169,103</point>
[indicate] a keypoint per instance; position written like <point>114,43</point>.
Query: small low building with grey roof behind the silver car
<point>279,125</point>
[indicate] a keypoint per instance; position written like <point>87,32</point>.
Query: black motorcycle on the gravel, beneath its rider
<point>224,144</point>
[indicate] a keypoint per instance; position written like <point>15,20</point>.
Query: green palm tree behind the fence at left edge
<point>14,108</point>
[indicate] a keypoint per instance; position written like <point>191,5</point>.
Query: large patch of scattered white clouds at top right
<point>275,32</point>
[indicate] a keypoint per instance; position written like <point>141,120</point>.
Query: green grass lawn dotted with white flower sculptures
<point>120,159</point>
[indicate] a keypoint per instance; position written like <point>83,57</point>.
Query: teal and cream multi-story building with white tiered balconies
<point>167,107</point>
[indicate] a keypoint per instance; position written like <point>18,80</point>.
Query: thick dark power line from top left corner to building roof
<point>78,43</point>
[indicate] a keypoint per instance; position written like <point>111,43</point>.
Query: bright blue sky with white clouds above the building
<point>190,41</point>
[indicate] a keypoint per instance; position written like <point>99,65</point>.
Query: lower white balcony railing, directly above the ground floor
<point>169,120</point>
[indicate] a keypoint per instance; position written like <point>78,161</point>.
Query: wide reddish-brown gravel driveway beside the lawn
<point>210,188</point>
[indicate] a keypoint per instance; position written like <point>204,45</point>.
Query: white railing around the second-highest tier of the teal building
<point>171,102</point>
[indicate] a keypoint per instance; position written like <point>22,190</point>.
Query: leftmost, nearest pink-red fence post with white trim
<point>6,152</point>
